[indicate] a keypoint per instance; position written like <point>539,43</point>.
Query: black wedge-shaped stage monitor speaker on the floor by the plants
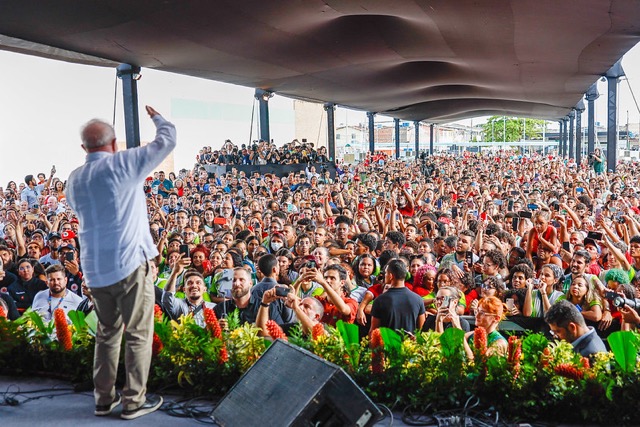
<point>289,386</point>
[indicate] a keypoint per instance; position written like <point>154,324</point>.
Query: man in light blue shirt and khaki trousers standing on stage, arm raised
<point>107,194</point>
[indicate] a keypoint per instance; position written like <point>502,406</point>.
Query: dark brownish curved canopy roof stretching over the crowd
<point>438,61</point>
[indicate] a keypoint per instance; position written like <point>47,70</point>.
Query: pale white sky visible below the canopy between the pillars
<point>45,102</point>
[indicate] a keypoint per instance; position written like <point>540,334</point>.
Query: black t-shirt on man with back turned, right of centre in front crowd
<point>398,308</point>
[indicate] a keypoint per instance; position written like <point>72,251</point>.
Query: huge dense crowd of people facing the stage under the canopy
<point>442,241</point>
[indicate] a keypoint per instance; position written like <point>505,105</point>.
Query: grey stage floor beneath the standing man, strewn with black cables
<point>47,402</point>
